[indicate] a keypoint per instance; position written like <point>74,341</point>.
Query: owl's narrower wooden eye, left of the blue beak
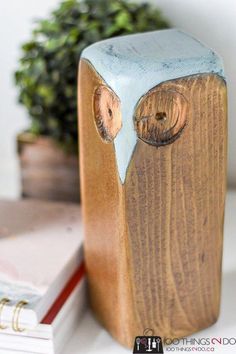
<point>107,113</point>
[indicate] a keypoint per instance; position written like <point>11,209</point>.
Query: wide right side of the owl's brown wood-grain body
<point>175,209</point>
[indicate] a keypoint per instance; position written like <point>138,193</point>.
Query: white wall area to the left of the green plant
<point>16,21</point>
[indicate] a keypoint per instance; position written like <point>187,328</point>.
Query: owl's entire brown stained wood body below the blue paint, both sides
<point>153,246</point>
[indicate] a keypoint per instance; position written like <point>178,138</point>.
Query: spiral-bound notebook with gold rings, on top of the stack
<point>40,249</point>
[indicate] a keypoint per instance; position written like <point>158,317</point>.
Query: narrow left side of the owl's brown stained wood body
<point>104,219</point>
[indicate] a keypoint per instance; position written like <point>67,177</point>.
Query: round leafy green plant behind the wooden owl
<point>47,74</point>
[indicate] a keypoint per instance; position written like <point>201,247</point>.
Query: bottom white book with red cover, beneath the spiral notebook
<point>50,337</point>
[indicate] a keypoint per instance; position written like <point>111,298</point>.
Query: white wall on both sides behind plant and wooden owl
<point>212,21</point>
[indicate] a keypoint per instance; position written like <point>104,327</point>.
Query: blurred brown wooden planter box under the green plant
<point>47,171</point>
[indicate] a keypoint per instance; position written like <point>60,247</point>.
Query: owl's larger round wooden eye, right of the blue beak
<point>160,116</point>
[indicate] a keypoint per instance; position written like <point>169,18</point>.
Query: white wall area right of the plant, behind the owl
<point>214,23</point>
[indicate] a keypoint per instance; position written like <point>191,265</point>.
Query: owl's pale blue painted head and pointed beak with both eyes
<point>132,105</point>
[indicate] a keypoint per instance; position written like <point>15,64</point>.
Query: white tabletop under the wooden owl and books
<point>91,338</point>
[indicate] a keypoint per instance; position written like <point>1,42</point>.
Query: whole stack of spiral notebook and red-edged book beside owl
<point>42,280</point>
